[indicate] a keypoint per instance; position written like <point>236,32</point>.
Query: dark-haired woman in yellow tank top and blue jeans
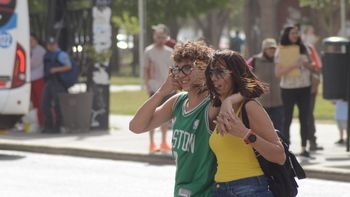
<point>238,171</point>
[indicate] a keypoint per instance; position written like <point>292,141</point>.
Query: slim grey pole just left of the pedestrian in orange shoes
<point>141,35</point>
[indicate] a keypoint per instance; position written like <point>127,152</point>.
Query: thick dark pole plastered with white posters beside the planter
<point>99,76</point>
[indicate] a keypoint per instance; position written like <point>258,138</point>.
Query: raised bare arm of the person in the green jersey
<point>149,116</point>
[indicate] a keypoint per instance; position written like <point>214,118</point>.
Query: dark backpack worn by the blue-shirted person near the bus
<point>68,79</point>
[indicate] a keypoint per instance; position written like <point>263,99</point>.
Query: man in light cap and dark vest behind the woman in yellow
<point>263,66</point>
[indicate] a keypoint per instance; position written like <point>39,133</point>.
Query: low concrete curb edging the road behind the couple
<point>318,172</point>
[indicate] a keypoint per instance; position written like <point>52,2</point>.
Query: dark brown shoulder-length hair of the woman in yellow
<point>243,80</point>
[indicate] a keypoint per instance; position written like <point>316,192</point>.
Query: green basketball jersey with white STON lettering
<point>195,162</point>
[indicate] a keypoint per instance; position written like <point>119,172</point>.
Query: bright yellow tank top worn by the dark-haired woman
<point>235,158</point>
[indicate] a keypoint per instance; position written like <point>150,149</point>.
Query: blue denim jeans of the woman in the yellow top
<point>248,187</point>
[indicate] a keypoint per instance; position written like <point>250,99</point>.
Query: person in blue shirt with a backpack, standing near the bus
<point>56,62</point>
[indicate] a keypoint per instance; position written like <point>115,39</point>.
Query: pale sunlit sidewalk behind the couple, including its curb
<point>119,143</point>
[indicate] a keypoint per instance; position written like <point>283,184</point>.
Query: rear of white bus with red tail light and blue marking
<point>14,61</point>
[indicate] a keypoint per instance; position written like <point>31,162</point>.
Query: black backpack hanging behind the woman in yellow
<point>280,178</point>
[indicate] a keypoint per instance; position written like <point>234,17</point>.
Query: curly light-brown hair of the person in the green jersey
<point>199,53</point>
